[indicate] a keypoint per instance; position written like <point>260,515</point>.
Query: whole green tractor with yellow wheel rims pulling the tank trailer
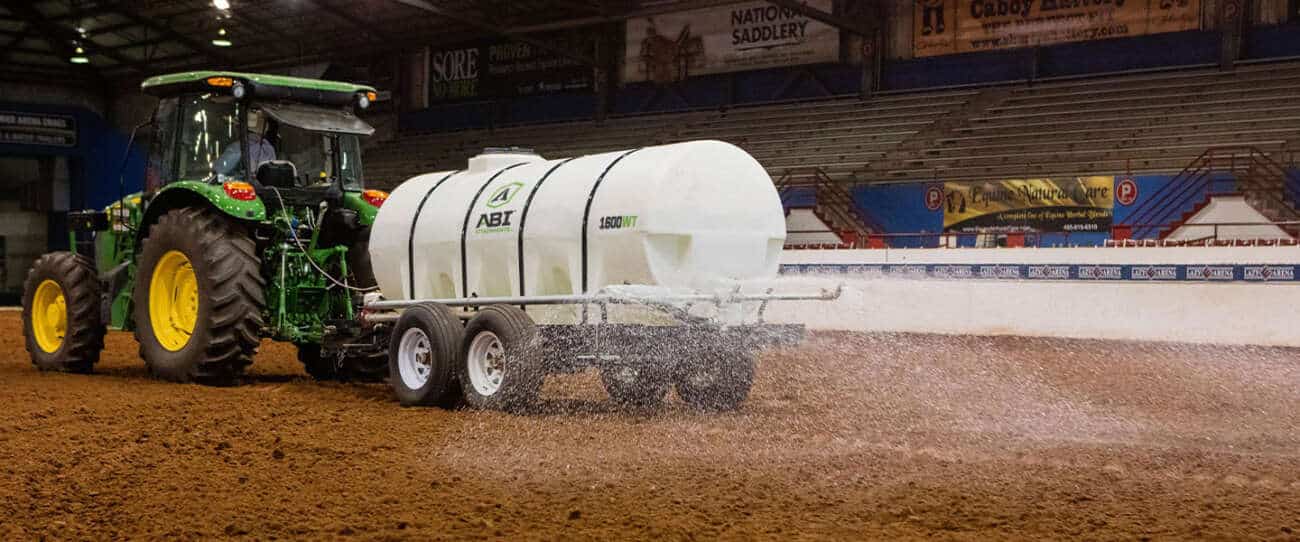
<point>253,224</point>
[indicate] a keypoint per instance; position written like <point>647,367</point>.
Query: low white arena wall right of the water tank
<point>1230,313</point>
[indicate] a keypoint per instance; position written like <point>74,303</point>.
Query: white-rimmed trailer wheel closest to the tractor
<point>424,353</point>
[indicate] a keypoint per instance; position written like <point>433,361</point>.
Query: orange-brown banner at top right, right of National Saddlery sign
<point>963,27</point>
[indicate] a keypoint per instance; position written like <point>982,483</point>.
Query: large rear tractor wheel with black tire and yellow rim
<point>198,298</point>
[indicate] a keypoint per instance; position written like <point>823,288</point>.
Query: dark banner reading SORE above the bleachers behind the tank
<point>505,70</point>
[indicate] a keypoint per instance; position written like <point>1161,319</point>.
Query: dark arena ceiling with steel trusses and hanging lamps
<point>79,42</point>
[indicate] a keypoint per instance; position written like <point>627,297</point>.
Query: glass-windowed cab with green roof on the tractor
<point>285,141</point>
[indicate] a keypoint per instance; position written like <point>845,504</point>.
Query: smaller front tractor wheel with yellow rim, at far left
<point>60,314</point>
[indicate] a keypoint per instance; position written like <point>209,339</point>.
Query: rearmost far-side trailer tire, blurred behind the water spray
<point>717,381</point>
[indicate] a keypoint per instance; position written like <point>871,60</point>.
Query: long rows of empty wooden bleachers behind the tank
<point>1155,123</point>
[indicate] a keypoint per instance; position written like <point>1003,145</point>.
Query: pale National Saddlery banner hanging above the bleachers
<point>731,38</point>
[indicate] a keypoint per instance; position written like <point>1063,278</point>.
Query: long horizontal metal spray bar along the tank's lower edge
<point>824,296</point>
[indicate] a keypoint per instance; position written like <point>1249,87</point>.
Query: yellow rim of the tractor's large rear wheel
<point>174,301</point>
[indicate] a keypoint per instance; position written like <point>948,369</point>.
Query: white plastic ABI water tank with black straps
<point>687,215</point>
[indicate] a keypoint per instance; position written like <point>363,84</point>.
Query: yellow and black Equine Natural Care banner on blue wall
<point>1072,205</point>
